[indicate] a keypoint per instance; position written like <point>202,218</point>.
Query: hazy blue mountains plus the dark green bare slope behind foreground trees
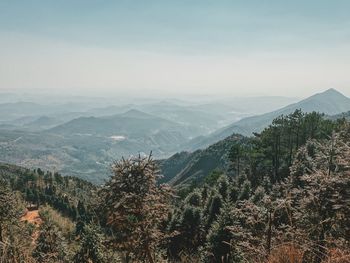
<point>84,144</point>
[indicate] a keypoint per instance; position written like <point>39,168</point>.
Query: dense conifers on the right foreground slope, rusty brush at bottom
<point>277,210</point>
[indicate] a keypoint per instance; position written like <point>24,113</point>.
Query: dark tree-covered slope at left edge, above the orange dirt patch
<point>68,195</point>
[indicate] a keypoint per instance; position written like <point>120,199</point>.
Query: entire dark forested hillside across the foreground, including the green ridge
<point>280,196</point>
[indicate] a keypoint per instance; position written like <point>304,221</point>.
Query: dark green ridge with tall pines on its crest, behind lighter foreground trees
<point>270,151</point>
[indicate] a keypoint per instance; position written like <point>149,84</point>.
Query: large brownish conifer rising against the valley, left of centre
<point>135,206</point>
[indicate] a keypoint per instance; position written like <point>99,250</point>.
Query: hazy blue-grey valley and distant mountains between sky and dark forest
<point>83,137</point>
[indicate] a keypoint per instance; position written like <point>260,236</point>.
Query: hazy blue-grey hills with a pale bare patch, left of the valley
<point>86,146</point>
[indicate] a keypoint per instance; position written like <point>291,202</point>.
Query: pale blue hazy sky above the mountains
<point>237,47</point>
